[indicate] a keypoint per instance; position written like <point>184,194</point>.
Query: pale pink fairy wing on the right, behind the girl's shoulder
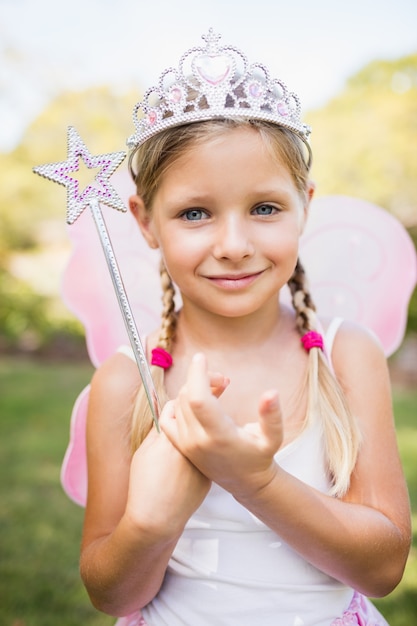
<point>361,265</point>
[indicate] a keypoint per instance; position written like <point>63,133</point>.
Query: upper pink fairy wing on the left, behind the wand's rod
<point>87,287</point>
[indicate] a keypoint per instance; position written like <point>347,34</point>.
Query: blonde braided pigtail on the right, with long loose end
<point>325,396</point>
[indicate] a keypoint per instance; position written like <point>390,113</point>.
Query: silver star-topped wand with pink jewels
<point>100,190</point>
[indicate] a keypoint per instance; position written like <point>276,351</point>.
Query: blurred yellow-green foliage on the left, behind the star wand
<point>26,201</point>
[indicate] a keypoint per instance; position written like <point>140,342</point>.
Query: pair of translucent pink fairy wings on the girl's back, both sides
<point>360,262</point>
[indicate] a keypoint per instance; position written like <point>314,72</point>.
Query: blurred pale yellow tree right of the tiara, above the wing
<point>364,141</point>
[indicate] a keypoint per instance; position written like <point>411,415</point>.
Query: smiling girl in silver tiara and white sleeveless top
<point>273,493</point>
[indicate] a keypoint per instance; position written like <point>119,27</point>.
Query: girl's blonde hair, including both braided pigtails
<point>325,396</point>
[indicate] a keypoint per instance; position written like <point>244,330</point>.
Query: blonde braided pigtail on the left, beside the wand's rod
<point>142,415</point>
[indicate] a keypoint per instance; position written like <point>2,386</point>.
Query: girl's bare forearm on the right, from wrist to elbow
<point>355,544</point>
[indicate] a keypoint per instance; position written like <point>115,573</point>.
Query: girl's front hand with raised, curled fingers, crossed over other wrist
<point>240,459</point>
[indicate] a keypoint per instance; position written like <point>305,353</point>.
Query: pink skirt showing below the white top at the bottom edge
<point>360,612</point>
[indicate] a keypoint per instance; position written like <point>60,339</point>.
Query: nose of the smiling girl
<point>233,238</point>
